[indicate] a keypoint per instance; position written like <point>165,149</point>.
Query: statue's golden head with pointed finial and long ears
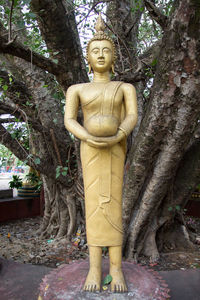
<point>101,46</point>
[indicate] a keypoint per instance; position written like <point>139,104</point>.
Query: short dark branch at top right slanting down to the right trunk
<point>156,14</point>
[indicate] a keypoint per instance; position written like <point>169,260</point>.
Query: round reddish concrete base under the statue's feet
<point>66,282</point>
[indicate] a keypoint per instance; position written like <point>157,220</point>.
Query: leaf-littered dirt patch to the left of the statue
<point>19,242</point>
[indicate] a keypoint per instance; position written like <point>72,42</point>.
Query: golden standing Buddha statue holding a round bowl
<point>110,114</point>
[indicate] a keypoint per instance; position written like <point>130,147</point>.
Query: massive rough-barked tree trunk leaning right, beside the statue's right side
<point>162,139</point>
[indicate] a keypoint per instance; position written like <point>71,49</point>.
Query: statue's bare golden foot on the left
<point>93,280</point>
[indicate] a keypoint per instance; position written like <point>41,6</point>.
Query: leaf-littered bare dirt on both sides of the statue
<point>19,242</point>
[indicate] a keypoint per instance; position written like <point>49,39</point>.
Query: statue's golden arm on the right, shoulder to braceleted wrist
<point>130,100</point>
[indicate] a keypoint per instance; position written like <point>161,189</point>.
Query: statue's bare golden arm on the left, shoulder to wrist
<point>71,112</point>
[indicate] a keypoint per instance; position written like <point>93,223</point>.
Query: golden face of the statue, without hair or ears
<point>100,56</point>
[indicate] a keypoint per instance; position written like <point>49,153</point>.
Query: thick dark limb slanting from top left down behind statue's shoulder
<point>58,28</point>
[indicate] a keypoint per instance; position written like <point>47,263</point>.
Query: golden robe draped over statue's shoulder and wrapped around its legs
<point>103,170</point>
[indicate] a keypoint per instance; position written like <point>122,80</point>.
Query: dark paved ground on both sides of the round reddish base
<point>21,282</point>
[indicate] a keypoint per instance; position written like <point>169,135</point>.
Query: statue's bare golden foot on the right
<point>118,284</point>
